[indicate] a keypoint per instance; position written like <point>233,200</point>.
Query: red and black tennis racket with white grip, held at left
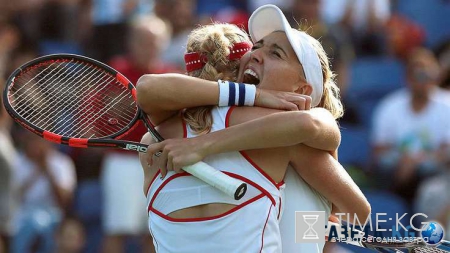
<point>77,101</point>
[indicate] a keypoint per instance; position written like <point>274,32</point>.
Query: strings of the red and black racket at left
<point>73,99</point>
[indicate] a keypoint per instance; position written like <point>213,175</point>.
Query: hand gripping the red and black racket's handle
<point>174,154</point>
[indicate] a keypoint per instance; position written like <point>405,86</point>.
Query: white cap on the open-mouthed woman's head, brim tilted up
<point>269,18</point>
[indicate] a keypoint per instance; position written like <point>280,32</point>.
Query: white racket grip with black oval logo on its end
<point>231,186</point>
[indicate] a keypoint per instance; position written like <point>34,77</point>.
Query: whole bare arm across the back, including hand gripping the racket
<point>316,128</point>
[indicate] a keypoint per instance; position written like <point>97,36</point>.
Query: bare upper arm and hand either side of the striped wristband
<point>163,95</point>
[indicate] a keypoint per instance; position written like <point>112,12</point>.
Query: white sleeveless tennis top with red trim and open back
<point>251,226</point>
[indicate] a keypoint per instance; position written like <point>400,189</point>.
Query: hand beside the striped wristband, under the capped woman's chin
<point>282,100</point>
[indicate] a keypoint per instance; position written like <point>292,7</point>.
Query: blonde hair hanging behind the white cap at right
<point>331,98</point>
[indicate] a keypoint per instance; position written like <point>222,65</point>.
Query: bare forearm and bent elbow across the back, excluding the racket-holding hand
<point>315,128</point>
